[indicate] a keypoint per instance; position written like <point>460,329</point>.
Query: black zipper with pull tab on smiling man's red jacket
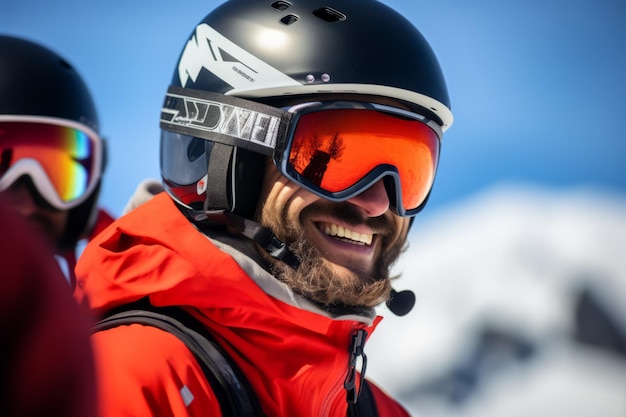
<point>349,384</point>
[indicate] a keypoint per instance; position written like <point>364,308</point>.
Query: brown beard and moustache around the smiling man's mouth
<point>320,280</point>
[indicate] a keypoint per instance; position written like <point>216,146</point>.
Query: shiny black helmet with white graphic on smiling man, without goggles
<point>278,52</point>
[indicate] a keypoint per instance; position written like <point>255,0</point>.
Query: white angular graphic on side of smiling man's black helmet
<point>209,49</point>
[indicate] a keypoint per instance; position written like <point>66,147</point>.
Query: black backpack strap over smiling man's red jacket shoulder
<point>235,396</point>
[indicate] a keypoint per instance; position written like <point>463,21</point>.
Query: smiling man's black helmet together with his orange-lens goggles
<point>259,79</point>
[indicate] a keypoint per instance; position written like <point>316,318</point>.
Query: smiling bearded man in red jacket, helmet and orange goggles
<point>297,142</point>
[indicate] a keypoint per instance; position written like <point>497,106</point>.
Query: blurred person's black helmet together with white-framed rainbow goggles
<point>49,132</point>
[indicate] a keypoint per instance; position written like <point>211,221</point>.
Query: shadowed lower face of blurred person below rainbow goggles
<point>48,222</point>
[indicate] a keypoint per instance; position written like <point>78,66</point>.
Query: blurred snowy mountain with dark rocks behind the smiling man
<point>520,308</point>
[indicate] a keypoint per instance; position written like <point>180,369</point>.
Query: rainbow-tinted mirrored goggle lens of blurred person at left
<point>65,154</point>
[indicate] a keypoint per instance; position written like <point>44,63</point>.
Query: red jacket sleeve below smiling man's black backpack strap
<point>144,371</point>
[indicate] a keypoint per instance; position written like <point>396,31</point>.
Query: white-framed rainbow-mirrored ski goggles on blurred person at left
<point>62,158</point>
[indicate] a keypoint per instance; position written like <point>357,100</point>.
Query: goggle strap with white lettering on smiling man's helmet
<point>198,115</point>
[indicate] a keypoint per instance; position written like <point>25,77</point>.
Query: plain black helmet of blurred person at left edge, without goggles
<point>35,81</point>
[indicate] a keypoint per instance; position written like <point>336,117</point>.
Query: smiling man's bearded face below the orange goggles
<point>346,248</point>
